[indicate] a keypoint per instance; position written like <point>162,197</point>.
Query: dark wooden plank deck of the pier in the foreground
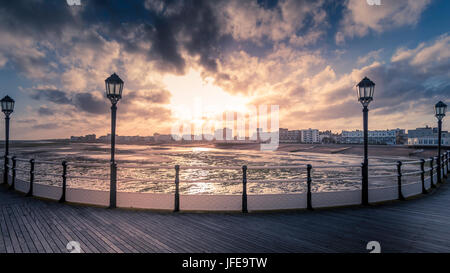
<point>33,225</point>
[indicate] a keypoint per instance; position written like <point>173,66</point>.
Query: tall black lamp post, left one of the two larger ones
<point>114,87</point>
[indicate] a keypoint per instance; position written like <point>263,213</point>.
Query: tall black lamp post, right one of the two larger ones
<point>365,90</point>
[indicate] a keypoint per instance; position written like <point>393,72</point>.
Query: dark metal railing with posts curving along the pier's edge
<point>432,170</point>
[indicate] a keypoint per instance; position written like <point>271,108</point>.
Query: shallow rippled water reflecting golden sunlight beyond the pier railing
<point>138,179</point>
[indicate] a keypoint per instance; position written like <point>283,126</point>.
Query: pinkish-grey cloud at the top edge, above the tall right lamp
<point>359,18</point>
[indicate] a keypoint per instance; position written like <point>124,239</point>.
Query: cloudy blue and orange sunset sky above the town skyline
<point>305,56</point>
